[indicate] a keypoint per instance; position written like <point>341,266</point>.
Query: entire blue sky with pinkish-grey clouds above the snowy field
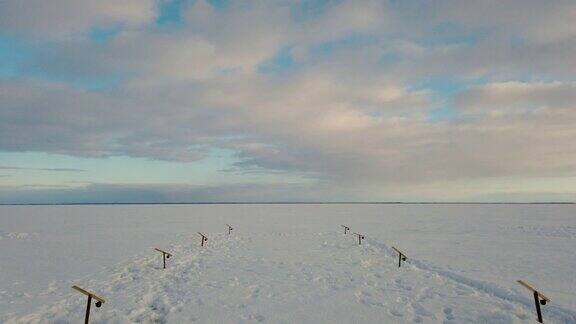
<point>306,100</point>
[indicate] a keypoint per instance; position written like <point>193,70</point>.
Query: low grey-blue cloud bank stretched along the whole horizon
<point>267,192</point>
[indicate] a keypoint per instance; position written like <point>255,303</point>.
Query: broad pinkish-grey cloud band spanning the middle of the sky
<point>311,127</point>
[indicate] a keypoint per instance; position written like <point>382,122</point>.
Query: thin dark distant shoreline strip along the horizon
<point>293,203</point>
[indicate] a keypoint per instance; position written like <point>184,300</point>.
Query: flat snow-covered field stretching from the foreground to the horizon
<point>288,263</point>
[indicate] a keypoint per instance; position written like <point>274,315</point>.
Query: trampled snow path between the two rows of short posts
<point>290,277</point>
